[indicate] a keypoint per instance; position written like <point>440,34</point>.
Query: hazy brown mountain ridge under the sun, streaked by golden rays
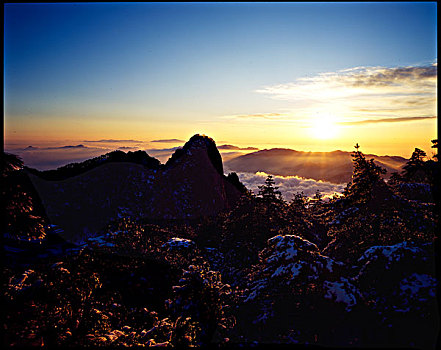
<point>334,166</point>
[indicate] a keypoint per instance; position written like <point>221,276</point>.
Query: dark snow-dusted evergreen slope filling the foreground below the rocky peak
<point>355,271</point>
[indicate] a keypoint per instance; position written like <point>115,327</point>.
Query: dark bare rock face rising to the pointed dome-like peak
<point>190,185</point>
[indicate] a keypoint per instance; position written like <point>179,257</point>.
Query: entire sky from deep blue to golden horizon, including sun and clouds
<point>306,76</point>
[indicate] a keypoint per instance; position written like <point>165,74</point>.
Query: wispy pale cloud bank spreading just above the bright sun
<point>360,92</point>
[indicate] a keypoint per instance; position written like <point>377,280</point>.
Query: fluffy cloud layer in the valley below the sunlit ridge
<point>290,185</point>
